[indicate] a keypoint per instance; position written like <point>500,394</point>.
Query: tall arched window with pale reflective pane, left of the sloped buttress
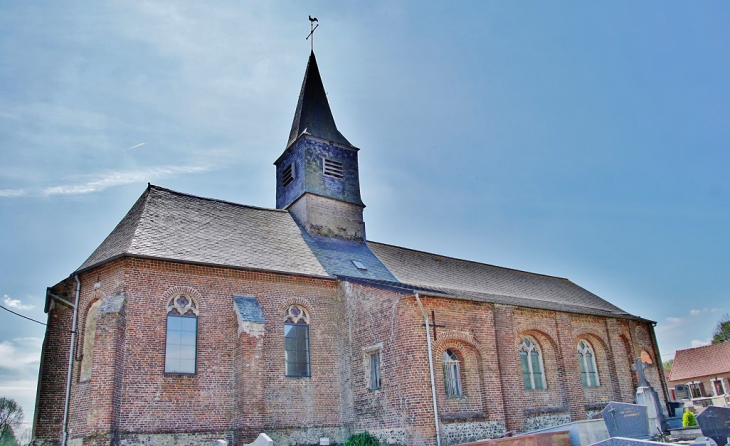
<point>181,348</point>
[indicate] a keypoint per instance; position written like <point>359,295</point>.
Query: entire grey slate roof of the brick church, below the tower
<point>170,225</point>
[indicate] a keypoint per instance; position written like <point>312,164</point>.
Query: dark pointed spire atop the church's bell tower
<point>313,114</point>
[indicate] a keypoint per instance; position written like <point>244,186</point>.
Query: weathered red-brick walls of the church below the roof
<point>240,388</point>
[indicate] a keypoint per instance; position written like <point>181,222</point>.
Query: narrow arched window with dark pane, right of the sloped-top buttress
<point>296,341</point>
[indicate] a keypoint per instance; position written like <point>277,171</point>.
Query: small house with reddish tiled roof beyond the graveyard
<point>702,375</point>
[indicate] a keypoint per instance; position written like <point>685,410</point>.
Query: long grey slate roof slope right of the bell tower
<point>479,281</point>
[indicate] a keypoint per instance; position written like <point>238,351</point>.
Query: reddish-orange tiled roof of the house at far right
<point>701,361</point>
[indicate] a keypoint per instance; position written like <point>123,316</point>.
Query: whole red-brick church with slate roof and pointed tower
<point>198,319</point>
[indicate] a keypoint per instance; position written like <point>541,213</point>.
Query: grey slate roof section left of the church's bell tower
<point>171,225</point>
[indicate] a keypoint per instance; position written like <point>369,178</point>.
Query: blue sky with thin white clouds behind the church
<point>584,140</point>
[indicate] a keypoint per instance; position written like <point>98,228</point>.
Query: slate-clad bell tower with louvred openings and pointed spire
<point>317,176</point>
